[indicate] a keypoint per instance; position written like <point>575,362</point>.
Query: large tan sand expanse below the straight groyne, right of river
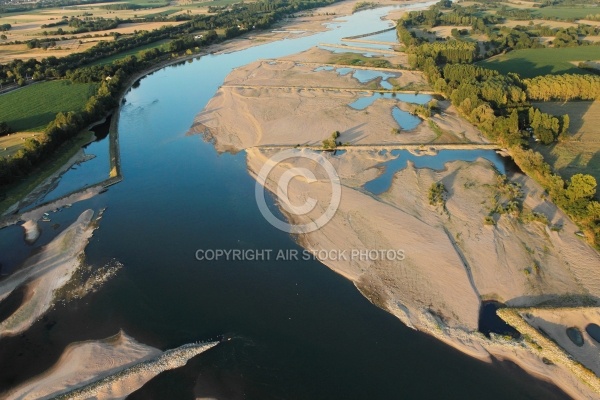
<point>453,260</point>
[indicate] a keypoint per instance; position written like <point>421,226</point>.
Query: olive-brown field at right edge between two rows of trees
<point>581,154</point>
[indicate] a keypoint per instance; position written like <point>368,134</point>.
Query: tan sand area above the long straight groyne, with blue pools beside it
<point>287,103</point>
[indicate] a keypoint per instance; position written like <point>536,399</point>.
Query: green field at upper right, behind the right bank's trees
<point>533,62</point>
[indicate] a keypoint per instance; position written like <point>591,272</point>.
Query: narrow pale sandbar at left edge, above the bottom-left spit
<point>44,273</point>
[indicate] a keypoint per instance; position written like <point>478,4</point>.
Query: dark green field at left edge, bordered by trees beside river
<point>33,107</point>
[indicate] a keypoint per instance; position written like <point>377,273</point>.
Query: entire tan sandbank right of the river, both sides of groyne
<point>455,256</point>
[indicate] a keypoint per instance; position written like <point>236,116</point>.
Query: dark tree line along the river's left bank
<point>112,78</point>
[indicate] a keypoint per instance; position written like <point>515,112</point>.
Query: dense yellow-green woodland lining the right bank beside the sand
<point>500,106</point>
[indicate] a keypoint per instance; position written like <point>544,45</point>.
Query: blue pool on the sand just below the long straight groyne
<point>389,168</point>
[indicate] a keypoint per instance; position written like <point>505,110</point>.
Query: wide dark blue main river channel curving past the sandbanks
<point>300,331</point>
